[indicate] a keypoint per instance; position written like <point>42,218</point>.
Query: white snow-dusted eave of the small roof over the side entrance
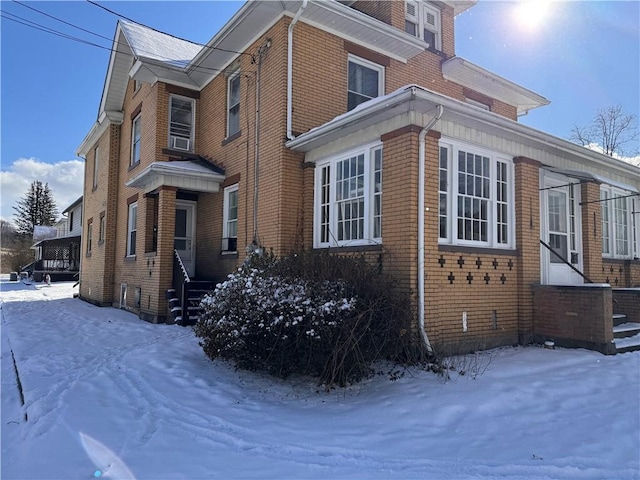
<point>187,175</point>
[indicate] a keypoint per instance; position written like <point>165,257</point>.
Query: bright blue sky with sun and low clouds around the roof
<point>582,56</point>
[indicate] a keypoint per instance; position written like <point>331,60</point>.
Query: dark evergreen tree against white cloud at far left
<point>35,208</point>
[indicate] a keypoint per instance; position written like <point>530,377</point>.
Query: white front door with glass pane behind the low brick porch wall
<point>560,230</point>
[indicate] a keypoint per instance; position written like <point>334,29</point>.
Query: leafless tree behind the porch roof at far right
<point>613,130</point>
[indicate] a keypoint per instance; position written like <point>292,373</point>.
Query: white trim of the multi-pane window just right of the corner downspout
<point>452,194</point>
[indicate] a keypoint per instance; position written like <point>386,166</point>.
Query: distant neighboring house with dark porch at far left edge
<point>57,248</point>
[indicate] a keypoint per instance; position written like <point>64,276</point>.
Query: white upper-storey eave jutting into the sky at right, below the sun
<point>476,78</point>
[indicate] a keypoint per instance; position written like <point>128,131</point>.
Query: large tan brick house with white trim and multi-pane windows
<point>353,126</point>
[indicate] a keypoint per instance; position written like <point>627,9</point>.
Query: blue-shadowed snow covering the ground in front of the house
<point>108,395</point>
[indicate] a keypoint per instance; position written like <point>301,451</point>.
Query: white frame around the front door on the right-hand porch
<point>558,273</point>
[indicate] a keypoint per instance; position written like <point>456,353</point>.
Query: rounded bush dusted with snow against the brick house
<point>308,313</point>
